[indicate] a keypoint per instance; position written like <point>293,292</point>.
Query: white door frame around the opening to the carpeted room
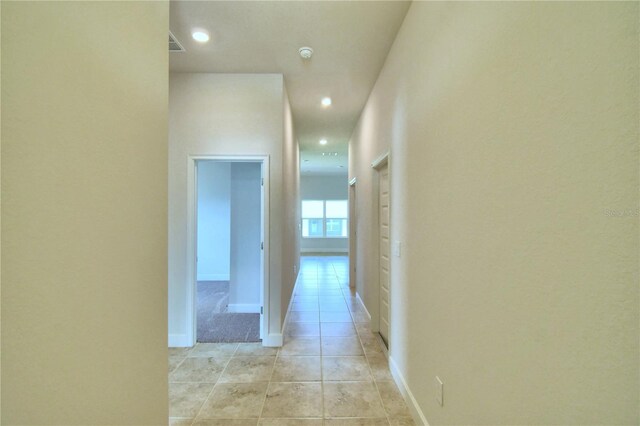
<point>192,220</point>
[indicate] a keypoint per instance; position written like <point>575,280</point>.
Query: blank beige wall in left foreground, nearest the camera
<point>84,222</point>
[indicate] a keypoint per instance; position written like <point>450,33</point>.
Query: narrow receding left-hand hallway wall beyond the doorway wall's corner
<point>291,190</point>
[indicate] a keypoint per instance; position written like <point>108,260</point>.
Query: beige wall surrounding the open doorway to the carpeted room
<point>228,114</point>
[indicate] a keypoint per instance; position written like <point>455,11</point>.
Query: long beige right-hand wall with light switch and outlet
<point>513,130</point>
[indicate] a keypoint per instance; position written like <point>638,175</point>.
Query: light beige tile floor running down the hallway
<point>330,371</point>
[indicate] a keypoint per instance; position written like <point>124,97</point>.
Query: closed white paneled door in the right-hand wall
<point>383,274</point>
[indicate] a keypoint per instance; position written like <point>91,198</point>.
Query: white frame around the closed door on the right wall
<point>377,165</point>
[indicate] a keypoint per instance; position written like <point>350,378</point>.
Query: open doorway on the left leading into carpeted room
<point>228,269</point>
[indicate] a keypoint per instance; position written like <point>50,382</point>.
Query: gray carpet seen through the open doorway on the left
<point>215,324</point>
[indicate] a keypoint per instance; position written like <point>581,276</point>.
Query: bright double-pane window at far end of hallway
<point>324,219</point>
